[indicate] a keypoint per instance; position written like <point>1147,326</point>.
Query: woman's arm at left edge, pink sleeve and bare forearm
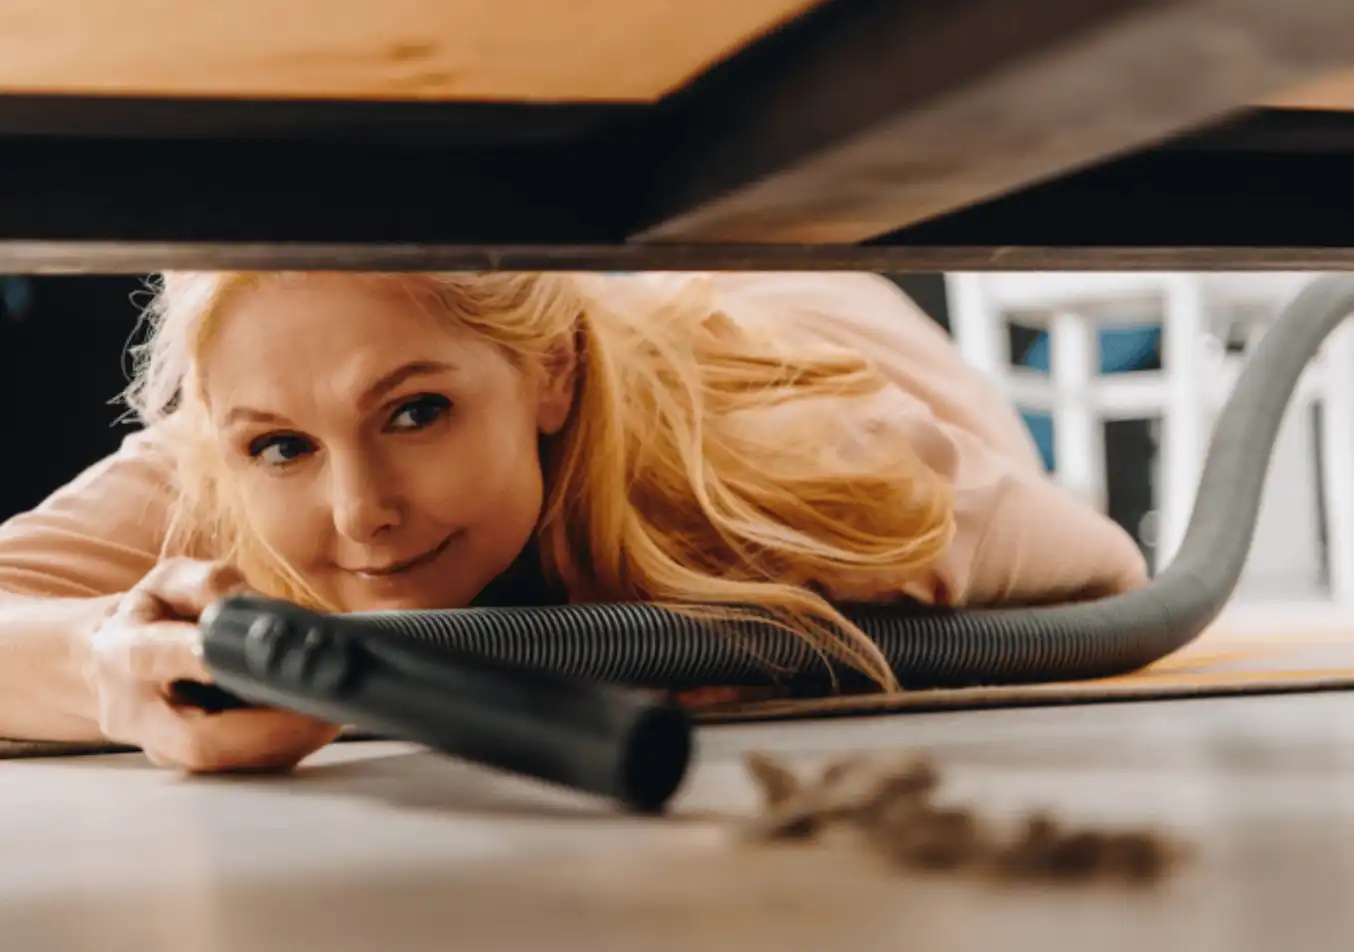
<point>63,567</point>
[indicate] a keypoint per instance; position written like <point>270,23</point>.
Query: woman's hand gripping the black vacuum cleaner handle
<point>148,643</point>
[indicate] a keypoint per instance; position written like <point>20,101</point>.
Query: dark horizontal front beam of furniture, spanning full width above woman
<point>129,207</point>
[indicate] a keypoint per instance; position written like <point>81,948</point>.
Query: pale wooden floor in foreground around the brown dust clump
<point>377,846</point>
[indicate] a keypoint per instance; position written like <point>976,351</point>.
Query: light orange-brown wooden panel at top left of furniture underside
<point>536,51</point>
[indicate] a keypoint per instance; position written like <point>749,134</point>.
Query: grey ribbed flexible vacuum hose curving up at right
<point>647,645</point>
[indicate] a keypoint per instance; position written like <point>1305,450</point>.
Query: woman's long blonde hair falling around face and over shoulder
<point>665,484</point>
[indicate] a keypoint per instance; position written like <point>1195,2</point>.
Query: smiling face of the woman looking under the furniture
<point>389,458</point>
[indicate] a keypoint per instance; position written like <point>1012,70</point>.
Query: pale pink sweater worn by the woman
<point>1020,538</point>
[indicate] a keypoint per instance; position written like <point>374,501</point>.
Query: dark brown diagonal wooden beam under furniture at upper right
<point>904,113</point>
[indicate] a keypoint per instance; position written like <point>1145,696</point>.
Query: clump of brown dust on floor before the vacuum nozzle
<point>889,802</point>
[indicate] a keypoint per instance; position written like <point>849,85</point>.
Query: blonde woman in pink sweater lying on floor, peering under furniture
<point>369,442</point>
